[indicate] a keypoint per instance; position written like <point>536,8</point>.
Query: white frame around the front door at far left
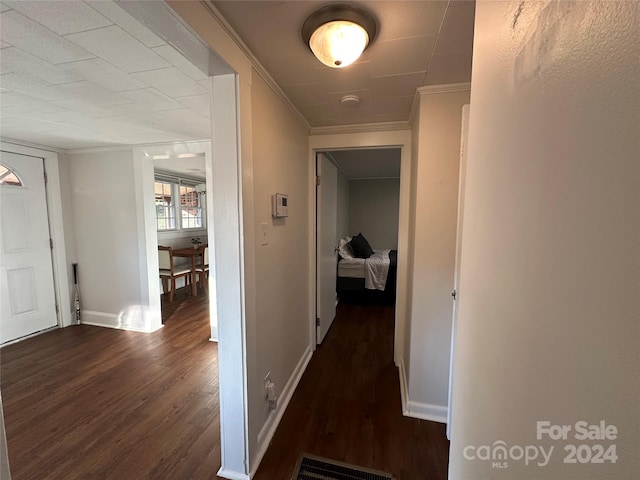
<point>53,191</point>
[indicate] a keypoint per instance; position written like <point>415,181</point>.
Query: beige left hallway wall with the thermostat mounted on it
<point>280,146</point>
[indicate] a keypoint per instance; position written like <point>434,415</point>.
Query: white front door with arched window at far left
<point>27,299</point>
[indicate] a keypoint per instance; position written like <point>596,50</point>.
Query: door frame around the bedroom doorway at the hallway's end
<point>362,140</point>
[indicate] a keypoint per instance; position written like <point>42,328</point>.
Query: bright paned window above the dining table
<point>179,204</point>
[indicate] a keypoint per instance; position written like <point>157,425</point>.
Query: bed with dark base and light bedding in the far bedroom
<point>352,283</point>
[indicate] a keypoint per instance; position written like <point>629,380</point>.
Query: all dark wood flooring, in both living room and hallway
<point>95,403</point>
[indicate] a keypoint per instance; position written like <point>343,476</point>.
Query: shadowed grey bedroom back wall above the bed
<point>374,209</point>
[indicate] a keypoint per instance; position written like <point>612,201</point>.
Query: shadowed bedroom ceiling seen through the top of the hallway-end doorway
<point>367,163</point>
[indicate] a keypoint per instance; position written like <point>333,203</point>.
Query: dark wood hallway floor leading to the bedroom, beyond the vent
<point>347,407</point>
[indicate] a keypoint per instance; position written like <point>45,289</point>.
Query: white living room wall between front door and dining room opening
<point>106,235</point>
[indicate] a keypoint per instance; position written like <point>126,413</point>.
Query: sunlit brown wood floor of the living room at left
<point>96,403</point>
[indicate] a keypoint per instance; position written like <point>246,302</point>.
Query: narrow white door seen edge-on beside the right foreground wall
<point>456,276</point>
